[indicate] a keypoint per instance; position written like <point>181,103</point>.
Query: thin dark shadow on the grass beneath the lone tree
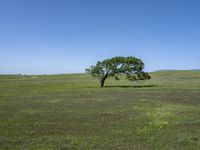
<point>130,86</point>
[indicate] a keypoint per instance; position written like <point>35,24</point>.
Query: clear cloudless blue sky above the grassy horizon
<point>66,36</point>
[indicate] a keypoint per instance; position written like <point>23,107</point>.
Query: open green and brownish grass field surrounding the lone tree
<point>72,112</point>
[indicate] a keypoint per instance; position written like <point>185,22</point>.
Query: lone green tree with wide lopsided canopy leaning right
<point>132,67</point>
